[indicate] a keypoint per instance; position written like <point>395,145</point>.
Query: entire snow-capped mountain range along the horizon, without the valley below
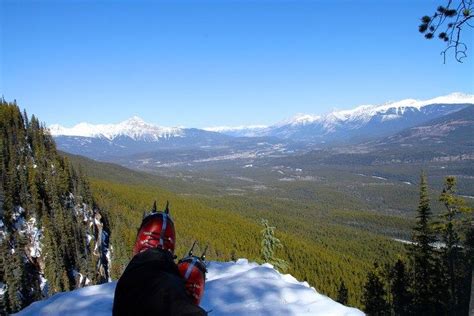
<point>360,121</point>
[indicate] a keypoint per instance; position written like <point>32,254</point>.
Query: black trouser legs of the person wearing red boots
<point>152,285</point>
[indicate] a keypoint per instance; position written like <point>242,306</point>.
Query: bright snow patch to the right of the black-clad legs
<point>244,288</point>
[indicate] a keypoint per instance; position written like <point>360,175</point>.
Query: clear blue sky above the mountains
<point>211,63</point>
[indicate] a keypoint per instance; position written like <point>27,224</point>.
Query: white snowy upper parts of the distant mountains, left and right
<point>137,129</point>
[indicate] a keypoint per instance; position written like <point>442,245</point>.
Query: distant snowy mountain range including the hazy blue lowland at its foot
<point>136,140</point>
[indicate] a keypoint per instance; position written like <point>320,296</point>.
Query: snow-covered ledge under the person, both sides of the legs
<point>232,288</point>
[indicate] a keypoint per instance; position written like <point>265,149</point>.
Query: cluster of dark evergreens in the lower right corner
<point>435,277</point>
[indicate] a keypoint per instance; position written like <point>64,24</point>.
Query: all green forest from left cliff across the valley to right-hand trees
<point>69,221</point>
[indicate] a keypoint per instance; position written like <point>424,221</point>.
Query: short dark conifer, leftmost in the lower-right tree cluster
<point>374,296</point>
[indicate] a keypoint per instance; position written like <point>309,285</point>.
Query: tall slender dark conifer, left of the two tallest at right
<point>422,254</point>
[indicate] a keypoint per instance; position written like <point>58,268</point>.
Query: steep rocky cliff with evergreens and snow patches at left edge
<point>52,236</point>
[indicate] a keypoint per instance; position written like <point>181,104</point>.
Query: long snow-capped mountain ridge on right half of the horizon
<point>359,122</point>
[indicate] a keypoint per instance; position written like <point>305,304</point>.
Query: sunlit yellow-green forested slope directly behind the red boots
<point>320,250</point>
